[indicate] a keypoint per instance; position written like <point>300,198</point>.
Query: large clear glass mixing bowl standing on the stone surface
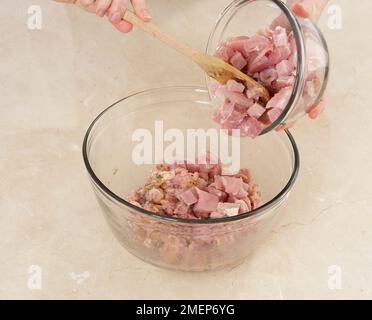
<point>182,244</point>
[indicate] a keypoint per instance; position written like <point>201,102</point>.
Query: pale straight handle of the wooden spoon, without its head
<point>153,30</point>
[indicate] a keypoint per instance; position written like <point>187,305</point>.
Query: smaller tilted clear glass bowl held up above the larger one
<point>246,17</point>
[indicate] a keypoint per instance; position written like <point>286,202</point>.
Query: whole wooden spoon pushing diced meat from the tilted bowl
<point>213,66</point>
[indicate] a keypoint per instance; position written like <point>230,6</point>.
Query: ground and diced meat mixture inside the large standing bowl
<point>197,190</point>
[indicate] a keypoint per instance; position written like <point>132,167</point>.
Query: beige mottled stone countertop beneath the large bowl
<point>55,80</point>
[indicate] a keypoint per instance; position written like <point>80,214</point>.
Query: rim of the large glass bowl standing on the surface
<point>111,195</point>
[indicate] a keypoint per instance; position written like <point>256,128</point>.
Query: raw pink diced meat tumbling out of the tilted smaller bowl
<point>269,57</point>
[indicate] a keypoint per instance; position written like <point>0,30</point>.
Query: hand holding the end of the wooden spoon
<point>114,10</point>
